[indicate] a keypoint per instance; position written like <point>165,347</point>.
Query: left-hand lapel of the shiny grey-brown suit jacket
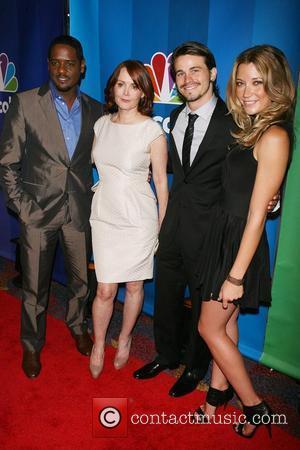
<point>55,131</point>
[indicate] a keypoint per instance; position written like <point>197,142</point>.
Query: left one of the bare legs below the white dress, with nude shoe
<point>102,312</point>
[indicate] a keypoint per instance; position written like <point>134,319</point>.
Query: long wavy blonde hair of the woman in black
<point>273,67</point>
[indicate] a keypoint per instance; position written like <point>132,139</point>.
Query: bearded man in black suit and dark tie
<point>199,139</point>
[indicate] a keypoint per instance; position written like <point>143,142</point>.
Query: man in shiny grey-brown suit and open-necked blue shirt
<point>46,174</point>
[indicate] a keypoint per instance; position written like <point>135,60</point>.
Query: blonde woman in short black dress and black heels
<point>236,275</point>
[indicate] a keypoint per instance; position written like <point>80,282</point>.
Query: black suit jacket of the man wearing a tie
<point>193,195</point>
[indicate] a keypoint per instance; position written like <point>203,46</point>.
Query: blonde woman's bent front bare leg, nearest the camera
<point>212,327</point>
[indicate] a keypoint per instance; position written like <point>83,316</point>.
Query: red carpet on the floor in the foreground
<point>55,410</point>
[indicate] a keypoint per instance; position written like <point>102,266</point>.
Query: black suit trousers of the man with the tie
<point>177,258</point>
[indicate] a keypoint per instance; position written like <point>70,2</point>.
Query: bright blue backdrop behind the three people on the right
<point>114,31</point>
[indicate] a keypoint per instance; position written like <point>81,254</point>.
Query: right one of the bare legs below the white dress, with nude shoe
<point>132,308</point>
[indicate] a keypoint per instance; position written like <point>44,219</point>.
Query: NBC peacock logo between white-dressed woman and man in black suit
<point>163,83</point>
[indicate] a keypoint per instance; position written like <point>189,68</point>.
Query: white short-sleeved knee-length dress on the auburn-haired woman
<point>124,216</point>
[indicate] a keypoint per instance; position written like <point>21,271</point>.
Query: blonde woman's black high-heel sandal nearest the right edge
<point>255,416</point>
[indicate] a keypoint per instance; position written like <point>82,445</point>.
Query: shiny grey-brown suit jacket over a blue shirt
<point>36,172</point>
